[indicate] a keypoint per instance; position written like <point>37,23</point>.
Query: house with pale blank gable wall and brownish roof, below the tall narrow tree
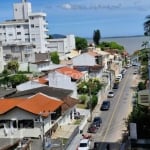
<point>92,62</point>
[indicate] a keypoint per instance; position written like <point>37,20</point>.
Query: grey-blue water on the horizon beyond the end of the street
<point>130,43</point>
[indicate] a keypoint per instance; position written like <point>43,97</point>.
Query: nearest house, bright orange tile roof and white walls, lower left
<point>24,117</point>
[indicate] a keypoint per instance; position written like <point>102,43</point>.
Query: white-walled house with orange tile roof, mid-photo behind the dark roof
<point>65,78</point>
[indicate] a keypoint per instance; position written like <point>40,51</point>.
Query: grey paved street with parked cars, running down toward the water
<point>113,120</point>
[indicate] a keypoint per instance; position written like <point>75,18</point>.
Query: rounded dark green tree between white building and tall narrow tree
<point>81,43</point>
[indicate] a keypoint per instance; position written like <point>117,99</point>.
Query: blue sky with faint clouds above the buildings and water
<point>82,17</point>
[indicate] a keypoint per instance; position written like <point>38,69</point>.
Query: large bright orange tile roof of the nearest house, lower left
<point>35,104</point>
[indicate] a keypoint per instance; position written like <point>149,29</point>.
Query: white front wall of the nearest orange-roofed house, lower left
<point>18,114</point>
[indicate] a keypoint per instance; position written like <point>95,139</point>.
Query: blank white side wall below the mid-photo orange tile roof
<point>59,80</point>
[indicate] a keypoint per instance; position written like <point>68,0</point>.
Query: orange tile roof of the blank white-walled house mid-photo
<point>74,74</point>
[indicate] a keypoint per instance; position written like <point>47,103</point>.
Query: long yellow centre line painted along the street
<point>110,122</point>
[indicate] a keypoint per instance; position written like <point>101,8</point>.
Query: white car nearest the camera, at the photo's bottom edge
<point>84,144</point>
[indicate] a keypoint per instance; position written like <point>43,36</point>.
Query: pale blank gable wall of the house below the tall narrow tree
<point>84,60</point>
